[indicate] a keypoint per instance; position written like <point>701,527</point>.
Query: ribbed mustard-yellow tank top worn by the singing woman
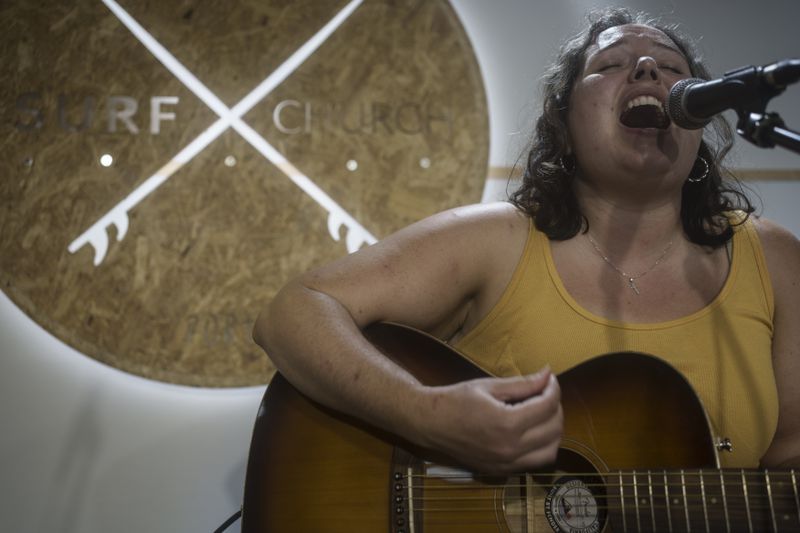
<point>724,349</point>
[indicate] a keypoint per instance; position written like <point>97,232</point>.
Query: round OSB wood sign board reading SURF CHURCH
<point>175,299</point>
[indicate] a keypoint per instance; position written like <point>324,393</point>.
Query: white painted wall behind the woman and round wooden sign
<point>88,449</point>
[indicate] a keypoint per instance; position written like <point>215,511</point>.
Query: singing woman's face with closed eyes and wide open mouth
<point>617,113</point>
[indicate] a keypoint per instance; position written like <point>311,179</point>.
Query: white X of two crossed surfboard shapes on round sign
<point>97,234</point>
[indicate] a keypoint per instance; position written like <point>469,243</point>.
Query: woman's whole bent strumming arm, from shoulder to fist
<point>434,275</point>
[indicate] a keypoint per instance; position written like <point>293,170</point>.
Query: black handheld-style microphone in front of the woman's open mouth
<point>693,102</point>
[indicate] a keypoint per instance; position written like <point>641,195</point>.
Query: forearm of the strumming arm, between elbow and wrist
<point>315,343</point>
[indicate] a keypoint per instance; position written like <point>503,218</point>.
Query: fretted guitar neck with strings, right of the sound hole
<point>703,500</point>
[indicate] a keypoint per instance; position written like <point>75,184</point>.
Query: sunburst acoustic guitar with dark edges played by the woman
<point>637,455</point>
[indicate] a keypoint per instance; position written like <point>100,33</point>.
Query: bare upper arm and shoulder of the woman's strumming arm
<point>429,274</point>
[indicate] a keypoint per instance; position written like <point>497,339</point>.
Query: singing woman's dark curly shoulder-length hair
<point>546,194</point>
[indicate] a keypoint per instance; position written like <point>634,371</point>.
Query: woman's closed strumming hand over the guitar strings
<point>496,425</point>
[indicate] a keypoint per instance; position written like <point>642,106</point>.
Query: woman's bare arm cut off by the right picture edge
<point>782,251</point>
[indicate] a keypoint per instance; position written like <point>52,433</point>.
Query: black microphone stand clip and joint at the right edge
<point>768,129</point>
